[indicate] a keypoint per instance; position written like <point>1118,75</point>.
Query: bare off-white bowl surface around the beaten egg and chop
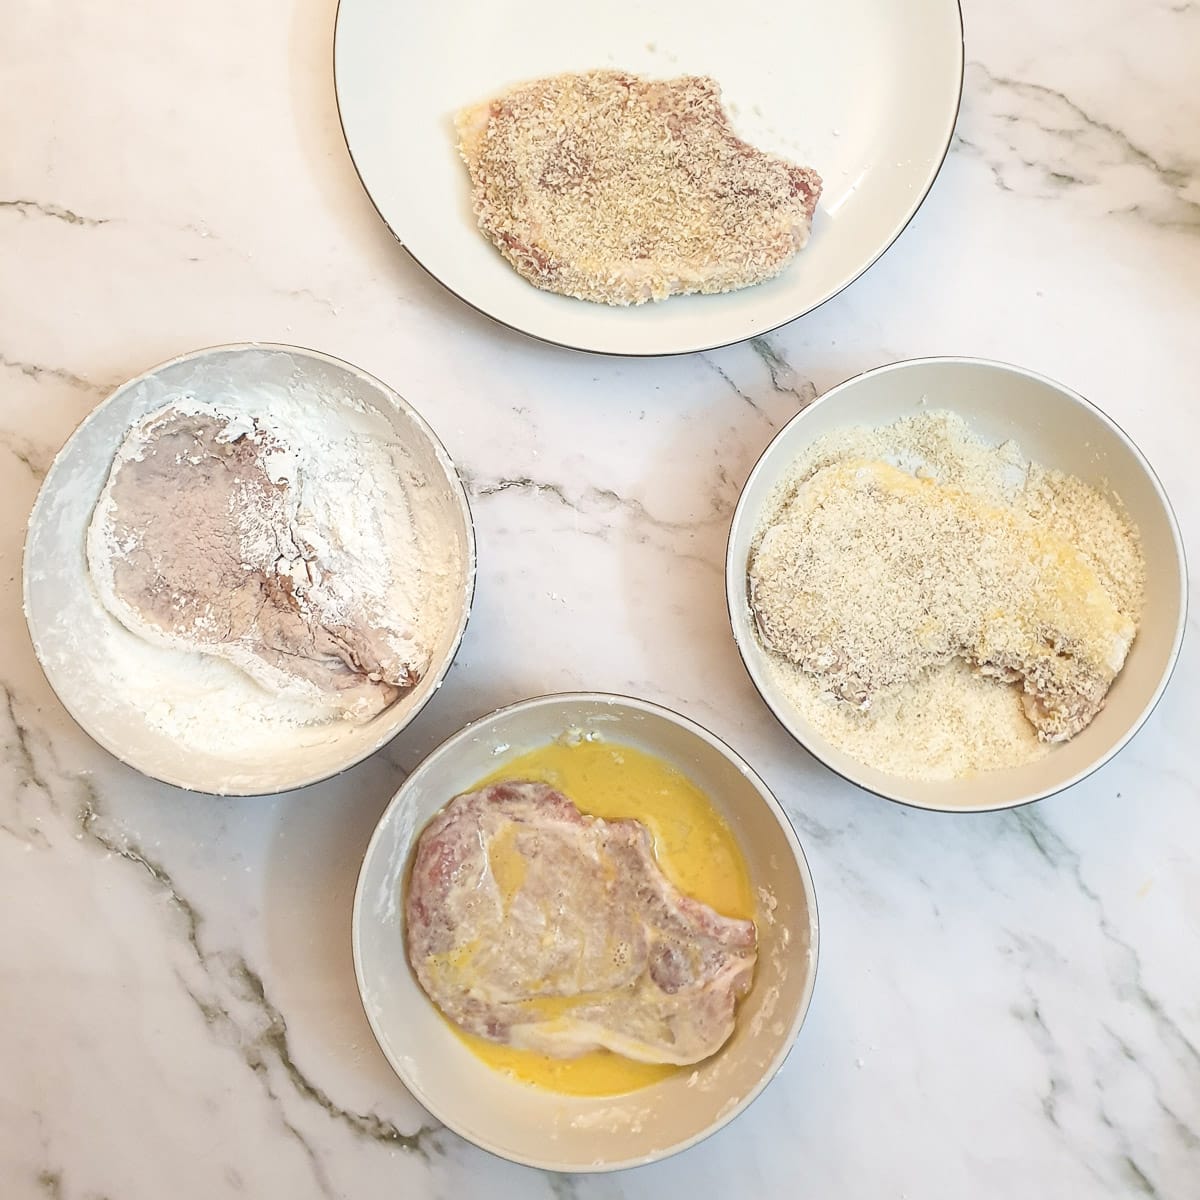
<point>571,1133</point>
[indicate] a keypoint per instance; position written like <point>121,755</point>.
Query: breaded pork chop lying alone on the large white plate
<point>620,190</point>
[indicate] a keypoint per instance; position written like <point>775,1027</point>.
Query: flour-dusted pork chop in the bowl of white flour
<point>195,545</point>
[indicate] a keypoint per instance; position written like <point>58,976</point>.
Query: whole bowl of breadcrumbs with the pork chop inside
<point>957,584</point>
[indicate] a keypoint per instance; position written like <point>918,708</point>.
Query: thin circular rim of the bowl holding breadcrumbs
<point>993,364</point>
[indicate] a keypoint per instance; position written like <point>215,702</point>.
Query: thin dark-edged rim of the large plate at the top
<point>673,353</point>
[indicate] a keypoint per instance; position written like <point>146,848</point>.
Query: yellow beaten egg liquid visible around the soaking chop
<point>694,848</point>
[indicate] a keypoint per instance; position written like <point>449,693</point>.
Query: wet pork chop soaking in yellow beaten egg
<point>532,925</point>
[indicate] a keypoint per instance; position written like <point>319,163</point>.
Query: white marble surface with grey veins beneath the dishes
<point>1009,1005</point>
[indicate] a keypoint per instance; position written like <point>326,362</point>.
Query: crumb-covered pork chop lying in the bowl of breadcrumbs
<point>872,577</point>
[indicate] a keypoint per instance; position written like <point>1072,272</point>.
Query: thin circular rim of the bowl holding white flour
<point>403,406</point>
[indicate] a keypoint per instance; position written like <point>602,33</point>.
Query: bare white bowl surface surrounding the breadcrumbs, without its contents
<point>1054,427</point>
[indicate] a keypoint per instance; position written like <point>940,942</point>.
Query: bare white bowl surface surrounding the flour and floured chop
<point>71,629</point>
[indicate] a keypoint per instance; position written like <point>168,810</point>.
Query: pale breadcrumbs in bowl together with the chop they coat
<point>896,566</point>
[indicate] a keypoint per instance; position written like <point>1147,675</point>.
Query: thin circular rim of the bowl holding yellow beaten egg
<point>769,797</point>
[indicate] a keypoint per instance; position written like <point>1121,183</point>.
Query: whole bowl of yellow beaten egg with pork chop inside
<point>623,1072</point>
